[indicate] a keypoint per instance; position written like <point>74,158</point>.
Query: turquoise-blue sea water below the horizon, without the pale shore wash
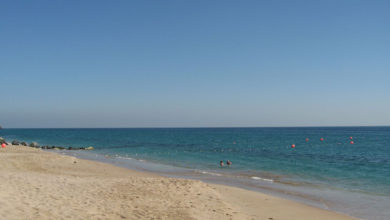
<point>256,153</point>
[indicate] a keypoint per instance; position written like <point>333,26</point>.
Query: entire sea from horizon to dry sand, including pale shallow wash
<point>342,169</point>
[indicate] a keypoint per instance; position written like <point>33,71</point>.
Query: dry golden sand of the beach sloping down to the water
<point>42,185</point>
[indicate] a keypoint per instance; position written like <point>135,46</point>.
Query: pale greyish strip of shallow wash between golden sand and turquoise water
<point>323,198</point>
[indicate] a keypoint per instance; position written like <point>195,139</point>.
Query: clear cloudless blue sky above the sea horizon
<point>194,63</point>
